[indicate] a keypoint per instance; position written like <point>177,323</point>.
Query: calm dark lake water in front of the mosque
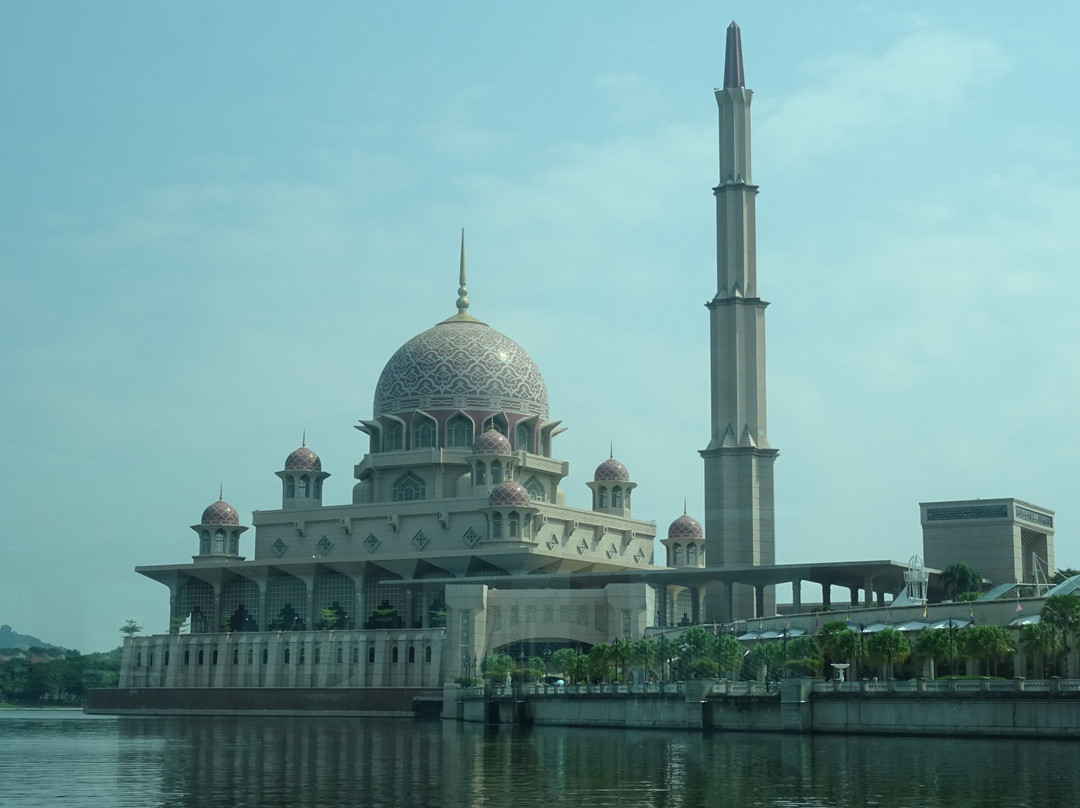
<point>57,759</point>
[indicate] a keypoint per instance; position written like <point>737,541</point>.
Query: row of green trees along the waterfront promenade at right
<point>697,653</point>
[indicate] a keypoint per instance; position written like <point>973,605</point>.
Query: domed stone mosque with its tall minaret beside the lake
<point>458,542</point>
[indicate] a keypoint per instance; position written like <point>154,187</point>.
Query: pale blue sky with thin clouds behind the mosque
<point>219,222</point>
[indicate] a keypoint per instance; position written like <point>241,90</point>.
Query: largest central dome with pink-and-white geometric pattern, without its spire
<point>462,365</point>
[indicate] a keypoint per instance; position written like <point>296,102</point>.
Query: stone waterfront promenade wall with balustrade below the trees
<point>1003,708</point>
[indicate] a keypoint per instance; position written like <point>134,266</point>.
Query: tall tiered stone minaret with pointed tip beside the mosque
<point>739,518</point>
